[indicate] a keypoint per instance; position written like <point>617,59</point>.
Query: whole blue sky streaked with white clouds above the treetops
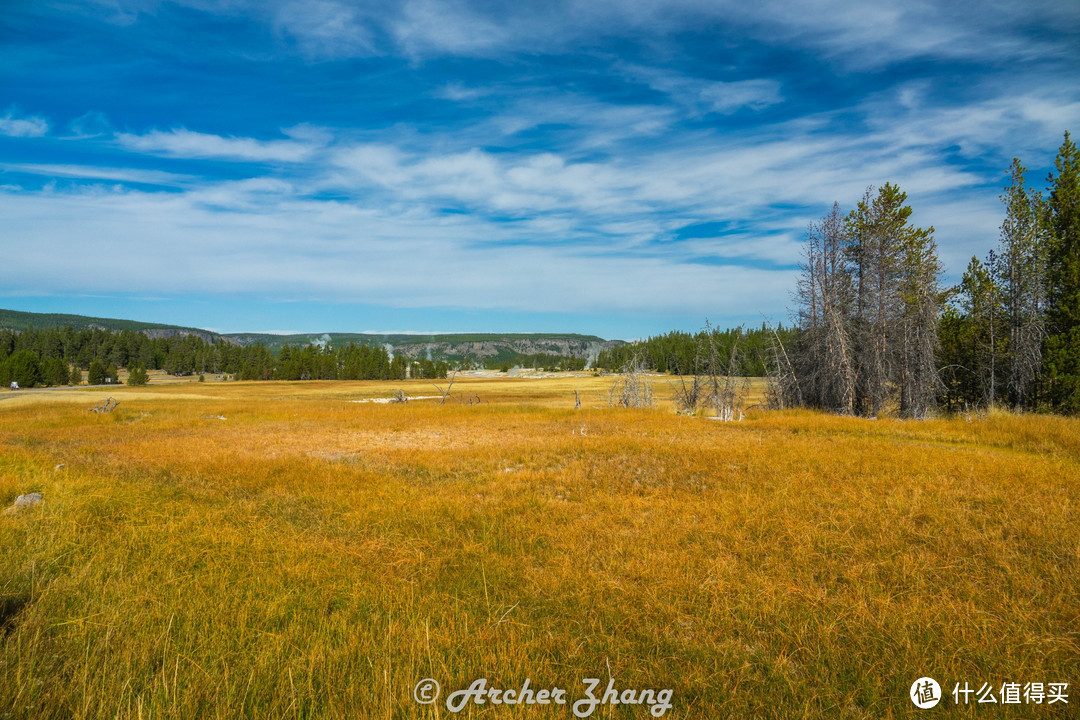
<point>611,168</point>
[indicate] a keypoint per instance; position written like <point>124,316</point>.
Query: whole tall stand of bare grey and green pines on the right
<point>877,332</point>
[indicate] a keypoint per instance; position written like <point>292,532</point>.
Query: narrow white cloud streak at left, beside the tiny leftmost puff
<point>187,144</point>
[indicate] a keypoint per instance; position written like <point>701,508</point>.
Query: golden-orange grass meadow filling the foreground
<point>312,558</point>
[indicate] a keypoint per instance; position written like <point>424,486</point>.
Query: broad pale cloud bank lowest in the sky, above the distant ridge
<point>295,248</point>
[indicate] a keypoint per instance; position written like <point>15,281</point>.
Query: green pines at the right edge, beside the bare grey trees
<point>1011,334</point>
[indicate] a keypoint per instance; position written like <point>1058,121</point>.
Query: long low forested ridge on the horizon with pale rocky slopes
<point>481,347</point>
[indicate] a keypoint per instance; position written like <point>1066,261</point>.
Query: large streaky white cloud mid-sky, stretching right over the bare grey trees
<point>734,178</point>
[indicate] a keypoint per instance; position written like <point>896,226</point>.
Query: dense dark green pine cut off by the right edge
<point>1062,356</point>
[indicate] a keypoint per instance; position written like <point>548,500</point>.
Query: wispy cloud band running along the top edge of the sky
<point>853,32</point>
